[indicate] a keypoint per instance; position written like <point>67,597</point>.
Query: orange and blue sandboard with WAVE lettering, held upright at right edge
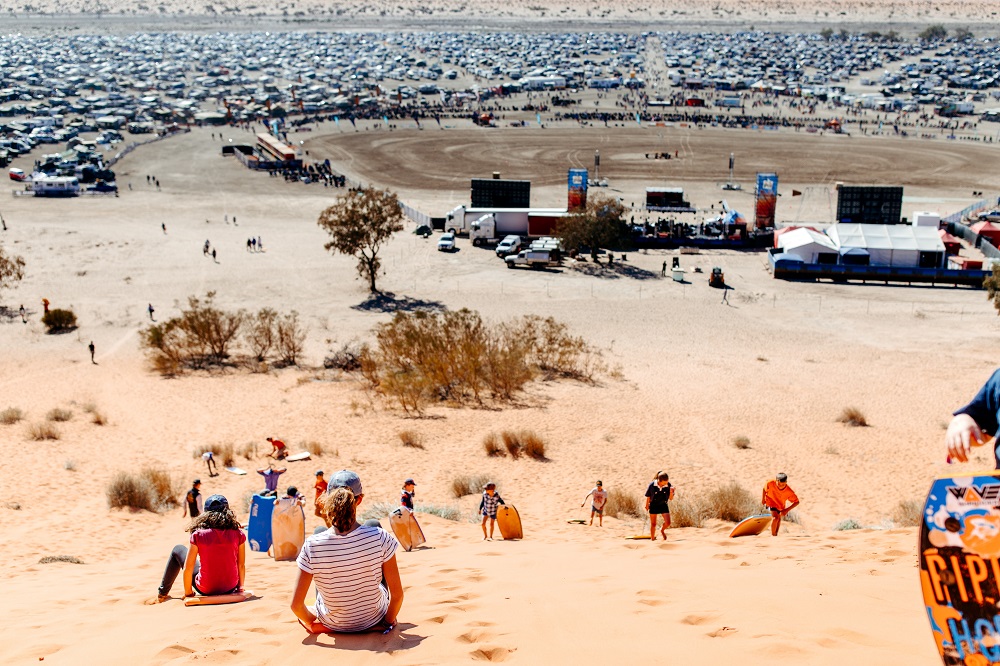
<point>959,567</point>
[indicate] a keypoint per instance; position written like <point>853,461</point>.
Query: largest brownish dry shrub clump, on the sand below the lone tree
<point>456,357</point>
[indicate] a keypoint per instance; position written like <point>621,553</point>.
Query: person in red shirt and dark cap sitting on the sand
<point>215,562</point>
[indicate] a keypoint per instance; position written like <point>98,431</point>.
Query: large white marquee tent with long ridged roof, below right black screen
<point>891,244</point>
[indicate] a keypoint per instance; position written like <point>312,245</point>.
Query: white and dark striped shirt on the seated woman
<point>347,571</point>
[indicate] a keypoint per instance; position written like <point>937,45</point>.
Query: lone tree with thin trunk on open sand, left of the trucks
<point>359,224</point>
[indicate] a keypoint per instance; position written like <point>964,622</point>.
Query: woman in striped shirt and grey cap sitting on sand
<point>354,566</point>
